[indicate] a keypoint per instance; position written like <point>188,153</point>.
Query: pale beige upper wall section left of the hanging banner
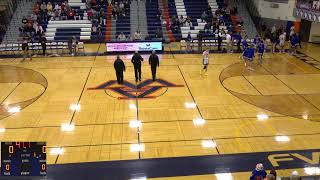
<point>276,9</point>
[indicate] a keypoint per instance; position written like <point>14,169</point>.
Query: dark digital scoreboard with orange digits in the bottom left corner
<point>23,159</point>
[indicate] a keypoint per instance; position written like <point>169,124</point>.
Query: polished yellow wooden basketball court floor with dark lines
<point>244,111</point>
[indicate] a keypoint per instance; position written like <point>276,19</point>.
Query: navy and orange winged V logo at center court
<point>143,90</point>
